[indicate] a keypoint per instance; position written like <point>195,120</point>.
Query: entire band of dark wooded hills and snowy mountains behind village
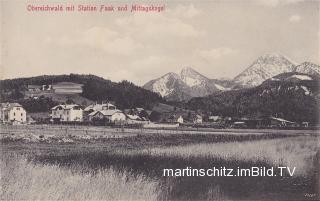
<point>271,86</point>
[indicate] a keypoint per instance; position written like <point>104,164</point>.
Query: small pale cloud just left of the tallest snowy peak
<point>215,53</point>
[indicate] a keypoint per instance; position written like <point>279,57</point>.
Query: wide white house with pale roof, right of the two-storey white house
<point>108,116</point>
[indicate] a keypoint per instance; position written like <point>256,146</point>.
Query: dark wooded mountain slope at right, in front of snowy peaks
<point>293,96</point>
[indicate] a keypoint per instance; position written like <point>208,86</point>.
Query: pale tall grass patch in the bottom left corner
<point>23,180</point>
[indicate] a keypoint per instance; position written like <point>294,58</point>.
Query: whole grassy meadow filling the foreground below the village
<point>108,164</point>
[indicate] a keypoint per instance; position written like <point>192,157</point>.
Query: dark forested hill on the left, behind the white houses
<point>124,94</point>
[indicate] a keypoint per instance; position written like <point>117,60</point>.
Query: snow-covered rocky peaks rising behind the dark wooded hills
<point>189,83</point>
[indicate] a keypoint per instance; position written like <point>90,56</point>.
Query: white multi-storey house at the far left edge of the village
<point>12,113</point>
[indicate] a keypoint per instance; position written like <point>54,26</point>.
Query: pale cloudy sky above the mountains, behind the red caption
<point>219,39</point>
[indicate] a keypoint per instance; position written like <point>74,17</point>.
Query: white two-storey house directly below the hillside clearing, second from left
<point>66,113</point>
